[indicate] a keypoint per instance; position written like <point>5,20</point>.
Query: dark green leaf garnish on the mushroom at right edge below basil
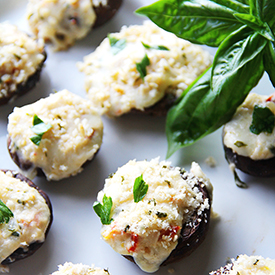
<point>263,120</point>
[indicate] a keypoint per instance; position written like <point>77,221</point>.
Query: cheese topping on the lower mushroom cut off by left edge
<point>31,215</point>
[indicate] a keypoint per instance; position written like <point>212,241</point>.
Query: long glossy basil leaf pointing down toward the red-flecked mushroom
<point>214,97</point>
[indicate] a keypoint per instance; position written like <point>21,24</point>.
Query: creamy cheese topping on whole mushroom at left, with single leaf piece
<point>75,136</point>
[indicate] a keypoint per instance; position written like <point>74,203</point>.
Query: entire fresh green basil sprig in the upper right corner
<point>243,31</point>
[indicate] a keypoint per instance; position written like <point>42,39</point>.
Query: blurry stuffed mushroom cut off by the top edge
<point>61,22</point>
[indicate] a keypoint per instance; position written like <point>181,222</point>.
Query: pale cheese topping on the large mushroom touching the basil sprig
<point>113,82</point>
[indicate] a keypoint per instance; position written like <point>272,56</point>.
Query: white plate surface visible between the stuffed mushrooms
<point>246,217</point>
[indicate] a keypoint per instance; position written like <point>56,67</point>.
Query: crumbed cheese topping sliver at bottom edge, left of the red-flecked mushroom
<point>79,269</point>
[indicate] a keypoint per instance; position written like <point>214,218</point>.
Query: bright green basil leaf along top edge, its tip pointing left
<point>199,21</point>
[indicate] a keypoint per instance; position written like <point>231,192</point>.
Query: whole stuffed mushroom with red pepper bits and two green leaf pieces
<point>154,214</point>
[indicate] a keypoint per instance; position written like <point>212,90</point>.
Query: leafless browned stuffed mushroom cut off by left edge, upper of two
<point>21,61</point>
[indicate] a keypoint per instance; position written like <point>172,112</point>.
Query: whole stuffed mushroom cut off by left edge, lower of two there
<point>26,217</point>
